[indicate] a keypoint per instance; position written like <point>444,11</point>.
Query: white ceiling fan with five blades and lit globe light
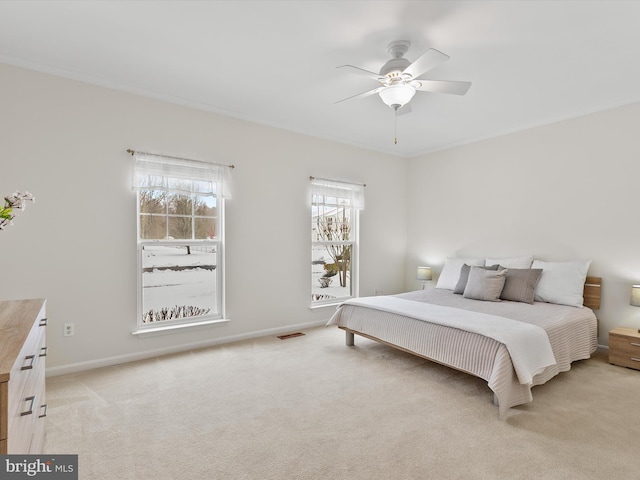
<point>400,79</point>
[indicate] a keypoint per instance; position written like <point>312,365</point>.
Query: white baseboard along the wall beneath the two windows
<point>109,361</point>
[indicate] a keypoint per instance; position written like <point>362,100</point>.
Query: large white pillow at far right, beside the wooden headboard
<point>562,282</point>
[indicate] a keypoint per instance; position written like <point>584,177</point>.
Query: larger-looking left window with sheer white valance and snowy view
<point>180,211</point>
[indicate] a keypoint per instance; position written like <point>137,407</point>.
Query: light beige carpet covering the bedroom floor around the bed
<point>311,408</point>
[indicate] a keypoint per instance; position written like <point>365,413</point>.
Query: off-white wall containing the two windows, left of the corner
<point>65,141</point>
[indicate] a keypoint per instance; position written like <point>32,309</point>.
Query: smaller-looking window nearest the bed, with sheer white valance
<point>334,240</point>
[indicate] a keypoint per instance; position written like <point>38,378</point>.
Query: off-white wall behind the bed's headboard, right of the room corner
<point>564,191</point>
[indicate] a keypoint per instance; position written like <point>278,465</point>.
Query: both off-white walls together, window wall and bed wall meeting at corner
<point>562,191</point>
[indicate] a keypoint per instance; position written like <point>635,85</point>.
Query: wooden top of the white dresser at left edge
<point>16,321</point>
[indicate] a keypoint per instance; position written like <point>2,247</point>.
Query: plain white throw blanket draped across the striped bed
<point>528,344</point>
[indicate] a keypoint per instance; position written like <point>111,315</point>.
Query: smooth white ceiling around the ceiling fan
<point>274,62</point>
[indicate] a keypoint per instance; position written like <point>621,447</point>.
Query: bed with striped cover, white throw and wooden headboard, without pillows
<point>513,345</point>
